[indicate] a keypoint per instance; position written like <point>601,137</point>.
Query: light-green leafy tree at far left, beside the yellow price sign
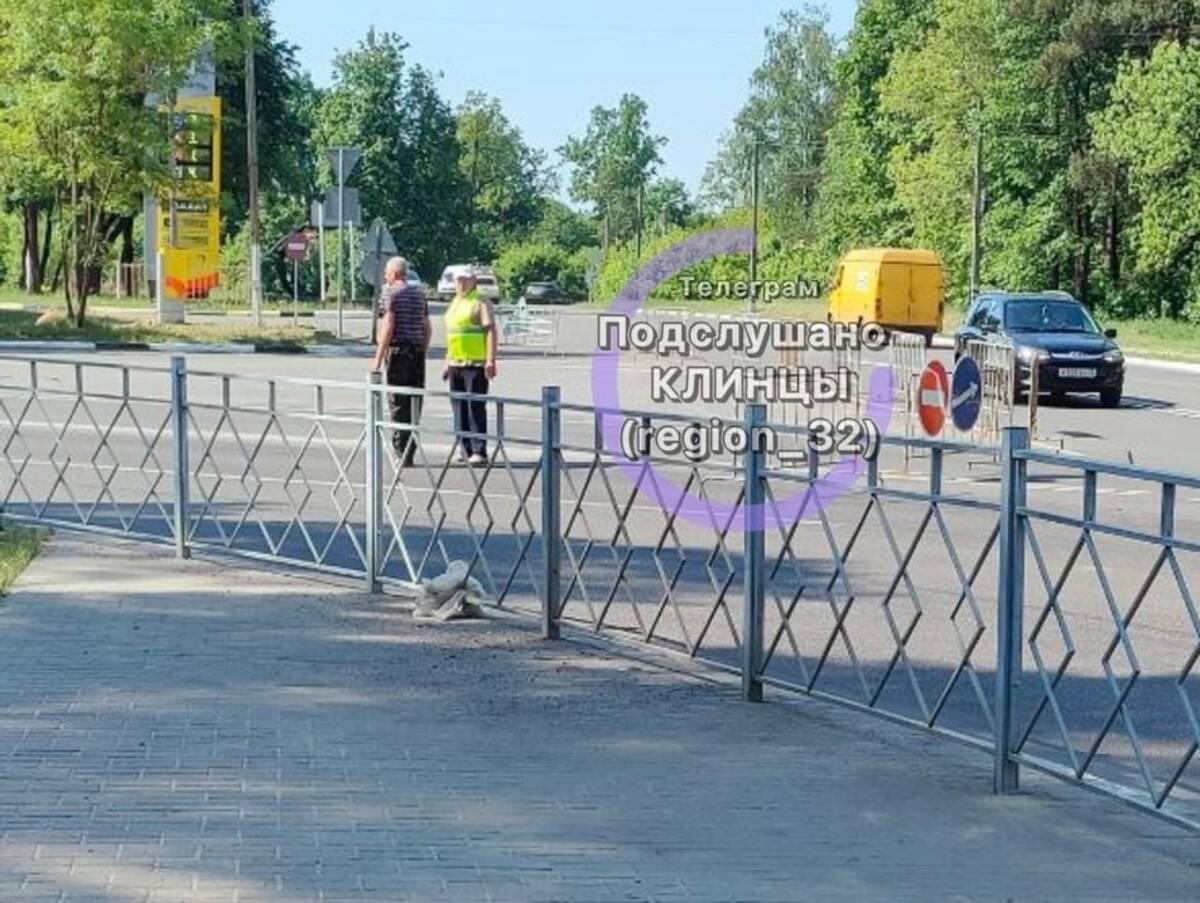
<point>74,81</point>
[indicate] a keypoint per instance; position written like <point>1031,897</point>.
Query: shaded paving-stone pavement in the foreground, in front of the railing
<point>212,732</point>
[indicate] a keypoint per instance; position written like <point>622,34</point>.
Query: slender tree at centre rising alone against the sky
<point>615,159</point>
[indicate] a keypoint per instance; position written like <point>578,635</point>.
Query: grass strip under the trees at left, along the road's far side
<point>25,326</point>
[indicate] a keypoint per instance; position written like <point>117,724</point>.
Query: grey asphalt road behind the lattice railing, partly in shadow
<point>291,485</point>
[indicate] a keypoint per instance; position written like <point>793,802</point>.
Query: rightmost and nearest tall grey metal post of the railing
<point>1011,606</point>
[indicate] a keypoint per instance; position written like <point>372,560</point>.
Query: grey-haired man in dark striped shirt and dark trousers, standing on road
<point>405,337</point>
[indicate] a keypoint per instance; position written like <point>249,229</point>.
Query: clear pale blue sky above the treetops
<point>551,62</point>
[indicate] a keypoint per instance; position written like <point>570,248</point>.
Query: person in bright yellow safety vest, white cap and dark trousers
<point>471,366</point>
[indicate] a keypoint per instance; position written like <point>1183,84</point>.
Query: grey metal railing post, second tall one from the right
<point>755,555</point>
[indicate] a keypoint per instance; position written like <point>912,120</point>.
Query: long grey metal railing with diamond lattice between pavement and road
<point>1047,619</point>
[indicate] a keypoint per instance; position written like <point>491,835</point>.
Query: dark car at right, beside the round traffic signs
<point>1055,333</point>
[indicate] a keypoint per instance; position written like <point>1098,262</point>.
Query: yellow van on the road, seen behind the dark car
<point>896,288</point>
